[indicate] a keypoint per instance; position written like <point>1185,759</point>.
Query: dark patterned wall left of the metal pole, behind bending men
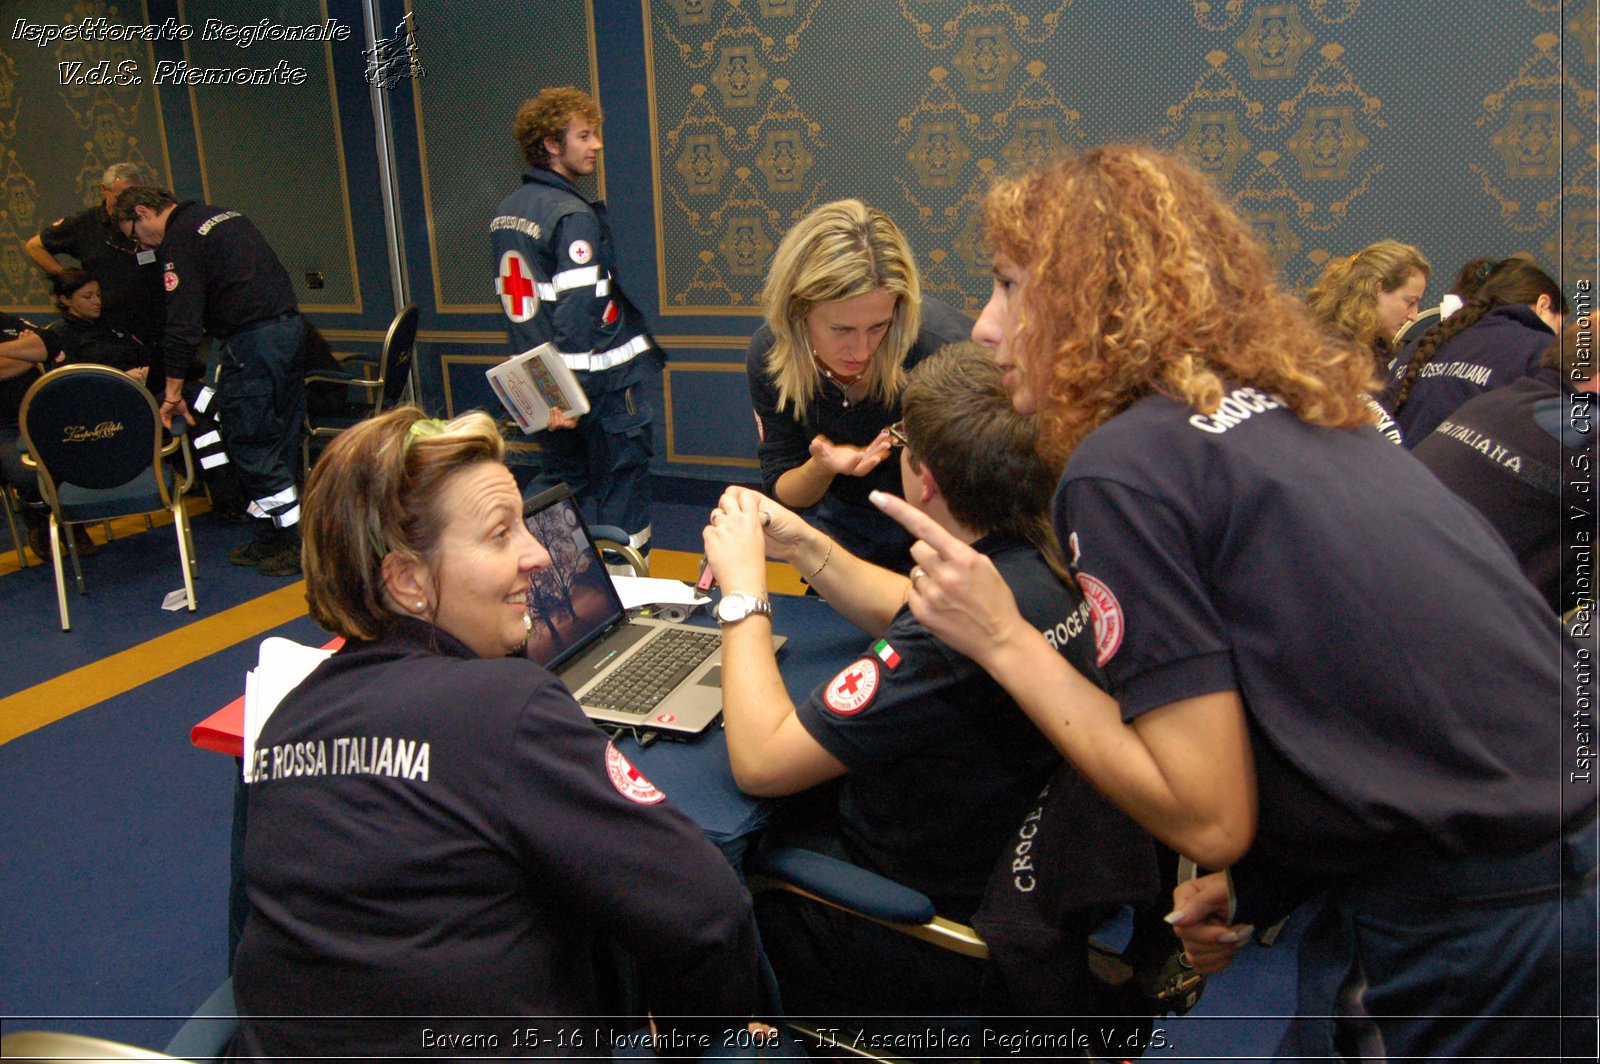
<point>274,150</point>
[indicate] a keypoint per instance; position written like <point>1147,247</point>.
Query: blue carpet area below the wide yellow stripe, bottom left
<point>114,844</point>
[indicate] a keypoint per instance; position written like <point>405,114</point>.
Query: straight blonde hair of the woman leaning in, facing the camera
<point>839,252</point>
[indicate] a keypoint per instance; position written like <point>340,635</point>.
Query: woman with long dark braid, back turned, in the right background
<point>1498,337</point>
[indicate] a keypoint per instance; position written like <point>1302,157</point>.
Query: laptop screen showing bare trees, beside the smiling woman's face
<point>574,601</point>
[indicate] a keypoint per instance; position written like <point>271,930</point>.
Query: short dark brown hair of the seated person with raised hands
<point>985,455</point>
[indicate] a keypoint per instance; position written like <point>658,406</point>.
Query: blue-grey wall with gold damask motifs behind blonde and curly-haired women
<point>1329,122</point>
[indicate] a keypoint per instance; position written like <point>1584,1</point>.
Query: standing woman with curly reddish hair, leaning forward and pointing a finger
<point>1370,713</point>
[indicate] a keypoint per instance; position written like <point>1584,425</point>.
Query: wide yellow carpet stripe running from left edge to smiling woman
<point>89,686</point>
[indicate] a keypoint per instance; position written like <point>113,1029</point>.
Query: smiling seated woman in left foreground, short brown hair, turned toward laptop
<point>436,831</point>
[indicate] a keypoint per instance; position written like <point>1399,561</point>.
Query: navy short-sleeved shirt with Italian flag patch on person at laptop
<point>943,764</point>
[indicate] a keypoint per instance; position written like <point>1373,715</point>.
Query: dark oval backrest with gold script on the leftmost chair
<point>90,426</point>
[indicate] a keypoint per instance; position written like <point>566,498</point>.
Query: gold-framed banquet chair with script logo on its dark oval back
<point>95,438</point>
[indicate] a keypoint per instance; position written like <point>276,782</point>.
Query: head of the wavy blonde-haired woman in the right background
<point>1372,295</point>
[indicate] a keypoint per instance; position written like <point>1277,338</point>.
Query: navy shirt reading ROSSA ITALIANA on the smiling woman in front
<point>438,836</point>
